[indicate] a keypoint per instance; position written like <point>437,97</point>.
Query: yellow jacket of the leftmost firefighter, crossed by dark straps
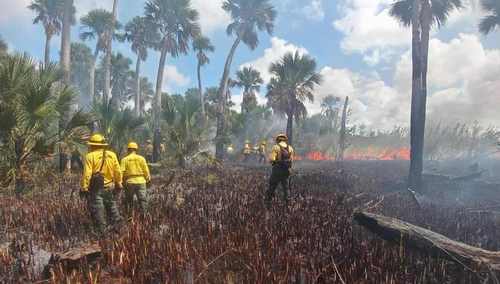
<point>110,170</point>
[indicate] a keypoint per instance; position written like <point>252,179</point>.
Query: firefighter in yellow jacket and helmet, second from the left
<point>136,177</point>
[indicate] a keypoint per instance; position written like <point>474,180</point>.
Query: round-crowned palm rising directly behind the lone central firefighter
<point>293,83</point>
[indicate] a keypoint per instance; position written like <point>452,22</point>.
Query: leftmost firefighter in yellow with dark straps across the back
<point>101,181</point>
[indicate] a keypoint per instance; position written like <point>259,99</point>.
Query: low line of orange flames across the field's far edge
<point>369,153</point>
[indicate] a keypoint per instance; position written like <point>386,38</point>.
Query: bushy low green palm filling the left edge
<point>32,109</point>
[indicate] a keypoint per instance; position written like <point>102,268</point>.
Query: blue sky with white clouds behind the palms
<point>360,50</point>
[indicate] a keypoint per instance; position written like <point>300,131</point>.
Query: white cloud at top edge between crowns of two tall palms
<point>212,16</point>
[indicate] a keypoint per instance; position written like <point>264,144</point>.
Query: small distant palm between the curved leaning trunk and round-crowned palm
<point>249,79</point>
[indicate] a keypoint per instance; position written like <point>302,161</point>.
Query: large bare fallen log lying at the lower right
<point>427,241</point>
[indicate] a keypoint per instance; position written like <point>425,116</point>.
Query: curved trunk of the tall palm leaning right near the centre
<point>219,138</point>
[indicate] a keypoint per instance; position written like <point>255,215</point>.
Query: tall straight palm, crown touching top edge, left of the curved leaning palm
<point>177,23</point>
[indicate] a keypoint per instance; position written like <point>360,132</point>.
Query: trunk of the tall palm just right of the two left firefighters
<point>157,105</point>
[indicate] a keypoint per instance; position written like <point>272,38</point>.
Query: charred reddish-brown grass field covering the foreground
<point>210,226</point>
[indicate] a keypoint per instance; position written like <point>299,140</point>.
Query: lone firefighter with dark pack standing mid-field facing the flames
<point>281,160</point>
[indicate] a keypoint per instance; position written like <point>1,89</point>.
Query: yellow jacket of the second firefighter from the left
<point>135,169</point>
